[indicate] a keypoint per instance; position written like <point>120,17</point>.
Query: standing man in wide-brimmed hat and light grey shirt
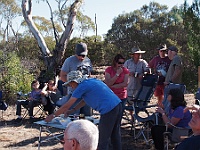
<point>136,67</point>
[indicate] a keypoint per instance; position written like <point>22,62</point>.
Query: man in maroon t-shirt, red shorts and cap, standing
<point>160,65</point>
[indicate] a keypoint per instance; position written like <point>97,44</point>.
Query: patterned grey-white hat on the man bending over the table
<point>75,76</point>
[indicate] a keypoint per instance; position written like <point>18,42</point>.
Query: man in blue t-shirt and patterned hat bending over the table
<point>100,97</point>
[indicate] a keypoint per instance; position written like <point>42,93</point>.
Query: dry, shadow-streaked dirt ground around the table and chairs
<point>25,135</point>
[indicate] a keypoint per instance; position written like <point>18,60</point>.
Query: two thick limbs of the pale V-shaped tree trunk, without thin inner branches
<point>51,60</point>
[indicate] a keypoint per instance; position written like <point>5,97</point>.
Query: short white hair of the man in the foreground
<point>85,132</point>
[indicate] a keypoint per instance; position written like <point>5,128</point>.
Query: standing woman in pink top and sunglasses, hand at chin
<point>116,77</point>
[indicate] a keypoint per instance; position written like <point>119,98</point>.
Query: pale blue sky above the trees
<point>106,10</point>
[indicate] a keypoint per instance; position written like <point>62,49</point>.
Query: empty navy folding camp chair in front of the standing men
<point>140,105</point>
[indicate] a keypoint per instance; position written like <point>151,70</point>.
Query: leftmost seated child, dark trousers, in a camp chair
<point>32,101</point>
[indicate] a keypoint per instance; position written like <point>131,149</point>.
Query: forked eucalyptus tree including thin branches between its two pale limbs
<point>52,59</point>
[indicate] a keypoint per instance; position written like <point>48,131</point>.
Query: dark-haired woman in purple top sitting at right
<point>176,117</point>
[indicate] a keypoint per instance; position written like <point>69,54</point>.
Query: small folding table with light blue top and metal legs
<point>58,123</point>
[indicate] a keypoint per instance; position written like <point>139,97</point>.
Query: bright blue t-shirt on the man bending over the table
<point>97,95</point>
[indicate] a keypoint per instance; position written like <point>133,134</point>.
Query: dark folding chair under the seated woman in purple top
<point>176,136</point>
